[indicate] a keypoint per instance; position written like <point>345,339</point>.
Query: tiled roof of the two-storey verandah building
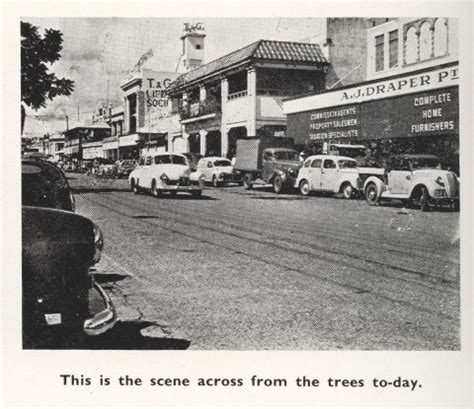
<point>264,50</point>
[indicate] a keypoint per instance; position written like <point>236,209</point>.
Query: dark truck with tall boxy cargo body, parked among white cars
<point>267,160</point>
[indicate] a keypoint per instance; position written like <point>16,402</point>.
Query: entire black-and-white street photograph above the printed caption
<point>240,184</point>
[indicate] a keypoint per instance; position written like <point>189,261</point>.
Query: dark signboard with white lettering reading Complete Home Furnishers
<point>420,114</point>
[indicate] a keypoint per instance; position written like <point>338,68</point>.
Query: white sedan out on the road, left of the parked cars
<point>165,172</point>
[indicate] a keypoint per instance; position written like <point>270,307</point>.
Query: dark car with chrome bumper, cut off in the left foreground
<point>62,304</point>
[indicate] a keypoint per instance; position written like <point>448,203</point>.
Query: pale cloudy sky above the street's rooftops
<point>99,52</point>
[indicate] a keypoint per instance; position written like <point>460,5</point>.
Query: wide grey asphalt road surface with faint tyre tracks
<point>252,270</point>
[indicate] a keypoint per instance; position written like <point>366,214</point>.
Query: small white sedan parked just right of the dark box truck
<point>330,173</point>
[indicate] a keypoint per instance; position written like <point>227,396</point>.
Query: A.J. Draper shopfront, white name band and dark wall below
<point>416,113</point>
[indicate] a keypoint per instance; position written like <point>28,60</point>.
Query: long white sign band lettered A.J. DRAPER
<point>425,81</point>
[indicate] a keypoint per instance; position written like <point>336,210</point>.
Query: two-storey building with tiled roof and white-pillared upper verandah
<point>241,94</point>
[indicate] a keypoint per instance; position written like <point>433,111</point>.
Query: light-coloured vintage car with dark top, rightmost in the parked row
<point>416,180</point>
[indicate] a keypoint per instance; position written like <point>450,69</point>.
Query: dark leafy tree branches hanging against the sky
<point>38,52</point>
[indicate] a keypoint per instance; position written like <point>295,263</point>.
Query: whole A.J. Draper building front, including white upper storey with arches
<point>410,103</point>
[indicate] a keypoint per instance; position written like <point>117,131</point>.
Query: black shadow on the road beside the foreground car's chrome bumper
<point>127,335</point>
